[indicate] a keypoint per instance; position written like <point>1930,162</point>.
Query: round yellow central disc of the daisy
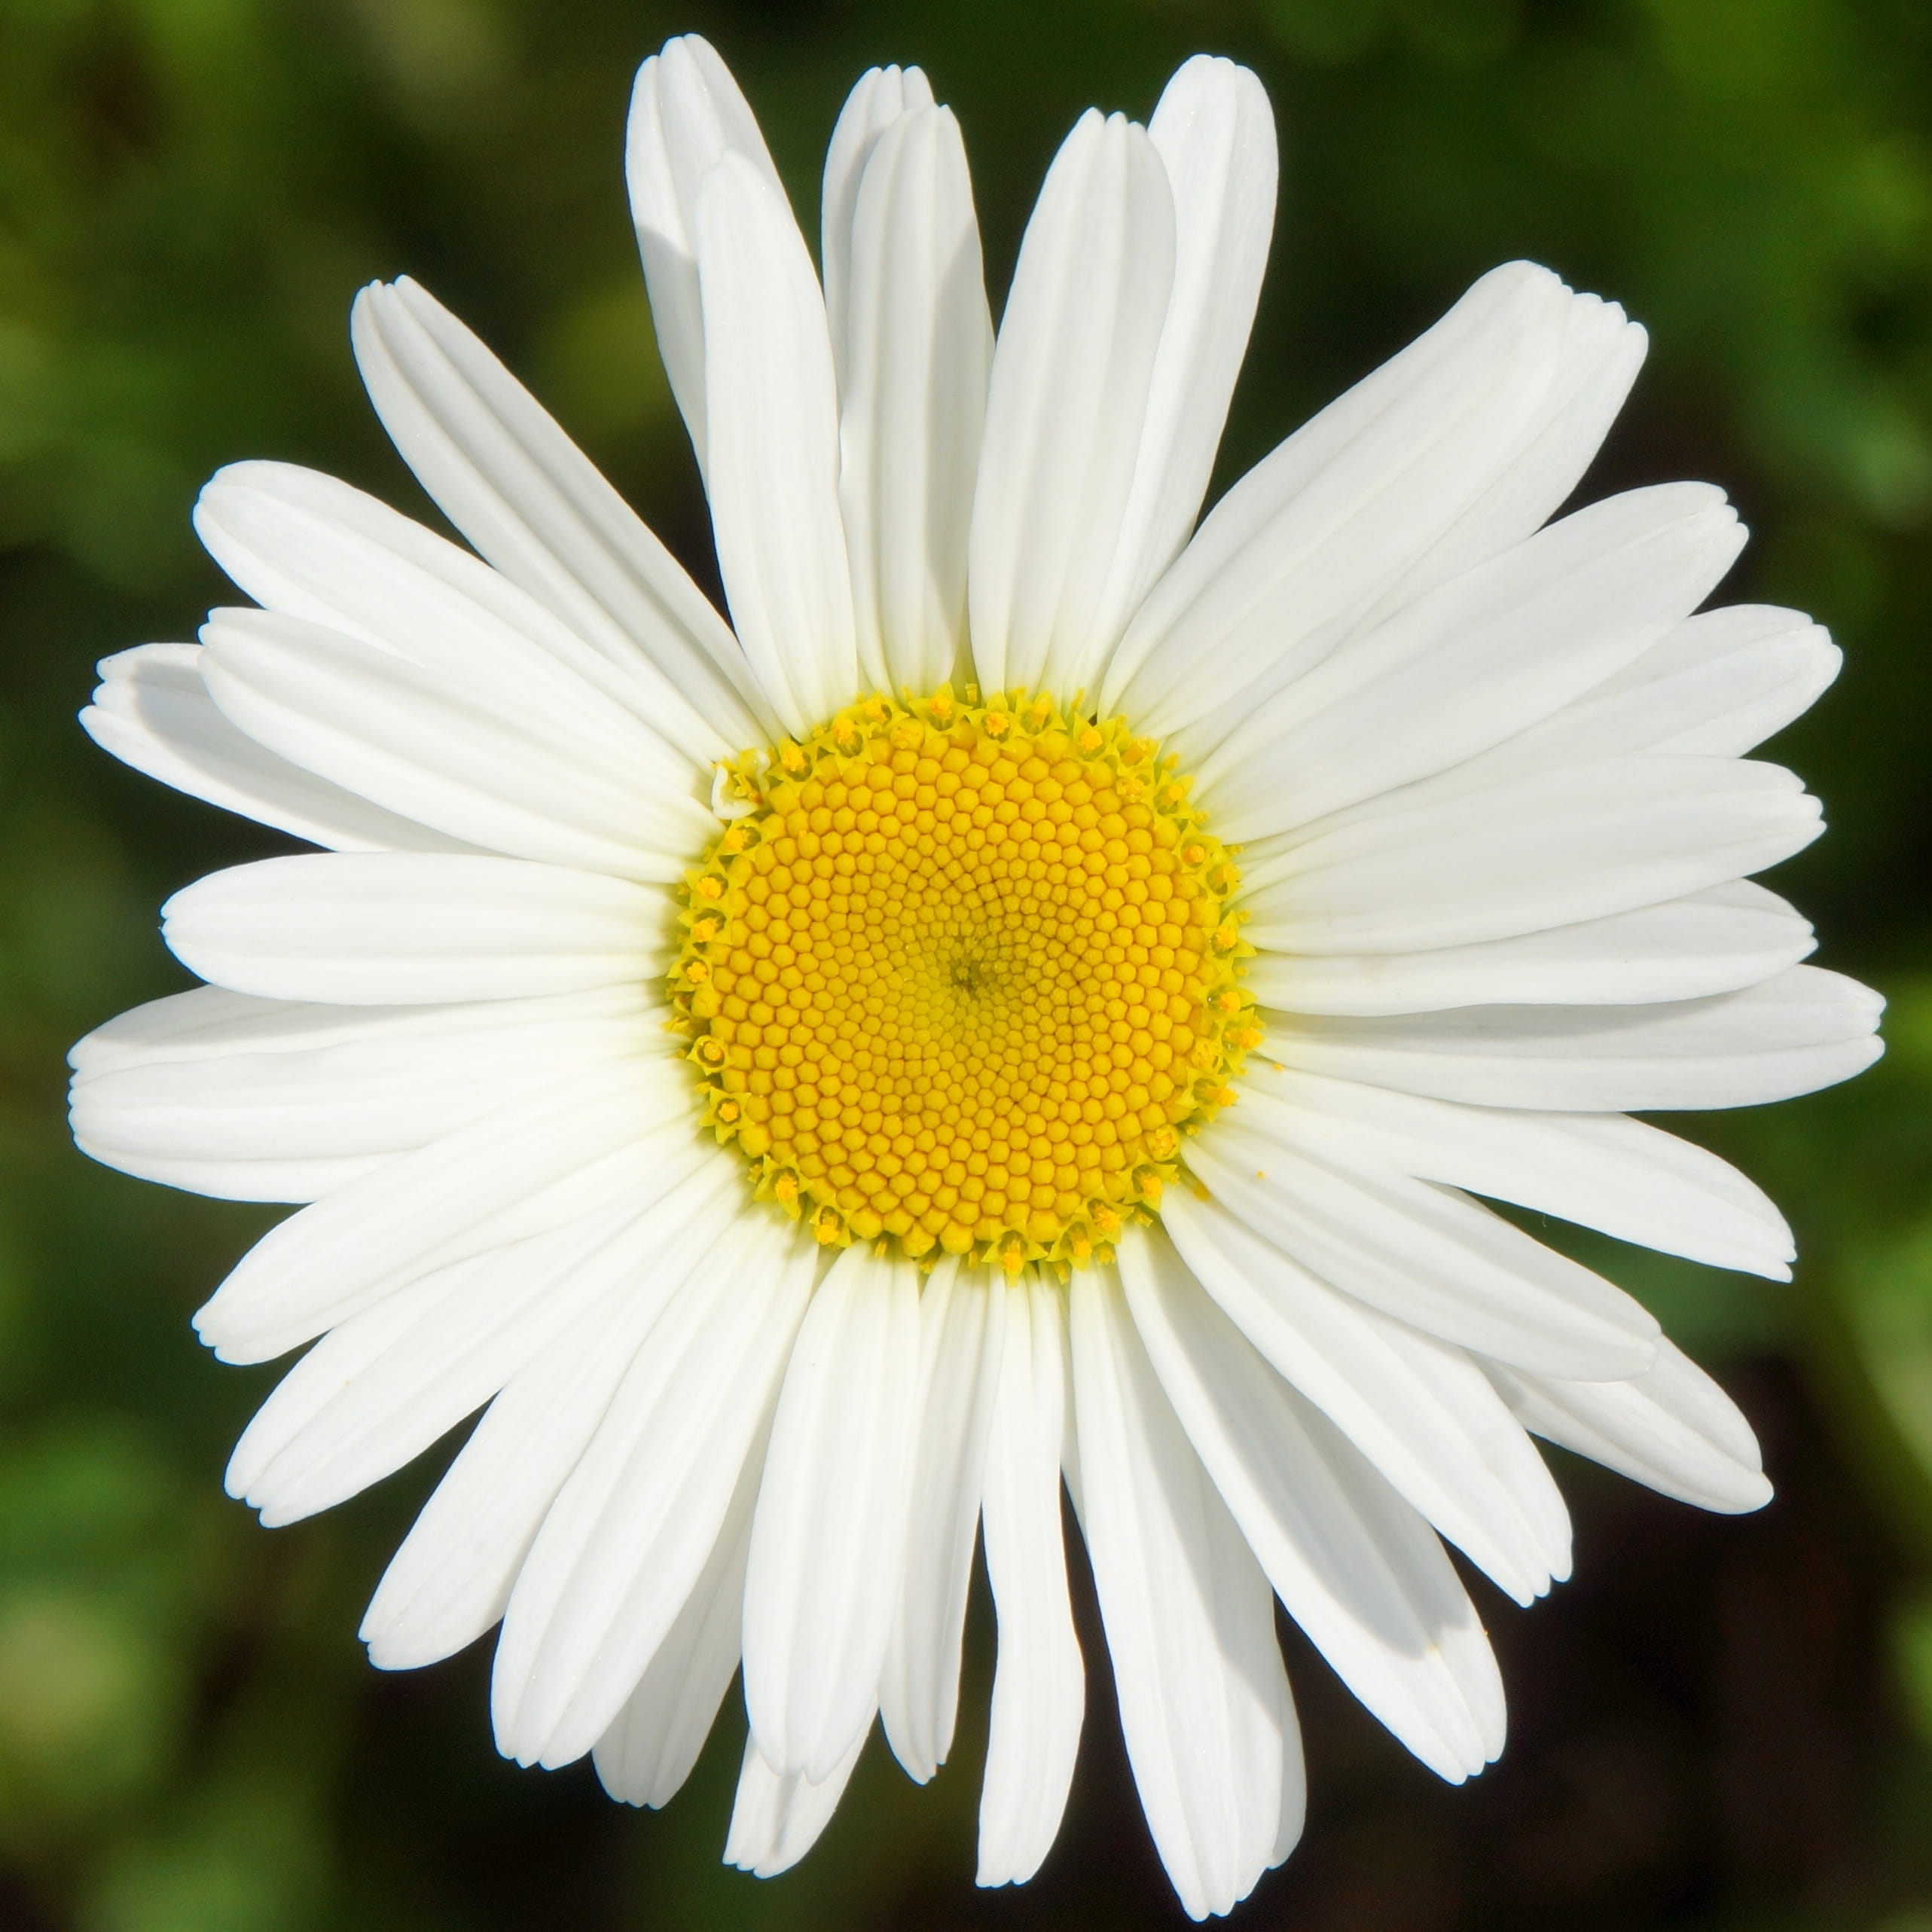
<point>963,979</point>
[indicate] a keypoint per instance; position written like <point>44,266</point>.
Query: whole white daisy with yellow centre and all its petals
<point>1038,996</point>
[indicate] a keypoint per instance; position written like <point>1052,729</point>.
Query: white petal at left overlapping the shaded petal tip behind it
<point>455,754</point>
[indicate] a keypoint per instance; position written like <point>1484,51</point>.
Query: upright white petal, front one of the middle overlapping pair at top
<point>913,347</point>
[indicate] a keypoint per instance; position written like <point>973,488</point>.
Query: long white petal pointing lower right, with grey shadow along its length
<point>1353,1564</point>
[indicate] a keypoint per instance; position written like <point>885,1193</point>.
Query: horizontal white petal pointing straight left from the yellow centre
<point>414,928</point>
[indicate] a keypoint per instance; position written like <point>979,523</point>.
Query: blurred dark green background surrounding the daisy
<point>1720,1724</point>
